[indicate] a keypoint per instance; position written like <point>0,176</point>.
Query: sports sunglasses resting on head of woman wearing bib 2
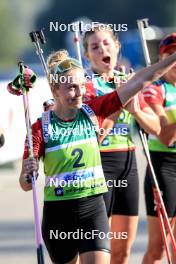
<point>66,65</point>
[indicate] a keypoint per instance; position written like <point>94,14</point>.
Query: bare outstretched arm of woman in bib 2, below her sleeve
<point>145,77</point>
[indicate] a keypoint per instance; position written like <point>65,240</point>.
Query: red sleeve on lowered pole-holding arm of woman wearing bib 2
<point>38,143</point>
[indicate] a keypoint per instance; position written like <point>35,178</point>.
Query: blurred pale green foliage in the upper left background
<point>17,18</point>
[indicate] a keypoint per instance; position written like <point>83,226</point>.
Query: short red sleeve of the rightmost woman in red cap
<point>153,94</point>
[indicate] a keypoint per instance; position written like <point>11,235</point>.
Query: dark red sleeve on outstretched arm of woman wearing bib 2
<point>105,105</point>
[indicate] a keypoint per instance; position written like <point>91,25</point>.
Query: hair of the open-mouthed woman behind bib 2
<point>97,28</point>
